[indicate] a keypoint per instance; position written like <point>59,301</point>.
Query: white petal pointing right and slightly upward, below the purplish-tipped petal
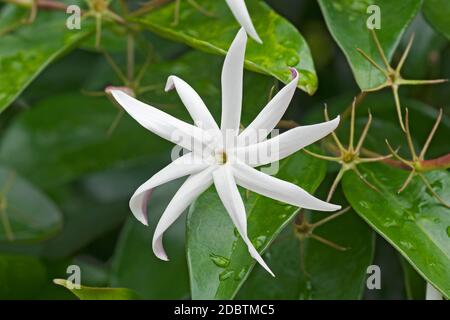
<point>285,144</point>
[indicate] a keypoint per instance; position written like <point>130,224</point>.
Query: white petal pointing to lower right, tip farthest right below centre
<point>277,189</point>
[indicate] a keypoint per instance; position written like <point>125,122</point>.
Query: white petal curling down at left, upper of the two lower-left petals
<point>181,167</point>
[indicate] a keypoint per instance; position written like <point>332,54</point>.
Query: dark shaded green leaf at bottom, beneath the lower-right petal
<point>312,270</point>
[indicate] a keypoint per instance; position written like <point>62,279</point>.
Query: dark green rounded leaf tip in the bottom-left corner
<point>21,277</point>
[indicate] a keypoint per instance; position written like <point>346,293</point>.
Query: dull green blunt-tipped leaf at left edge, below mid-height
<point>26,214</point>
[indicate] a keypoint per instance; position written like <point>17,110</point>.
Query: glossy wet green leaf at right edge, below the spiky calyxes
<point>413,221</point>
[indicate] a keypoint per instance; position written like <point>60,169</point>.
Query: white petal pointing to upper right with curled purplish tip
<point>272,113</point>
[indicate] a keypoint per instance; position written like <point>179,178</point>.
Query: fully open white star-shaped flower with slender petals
<point>223,156</point>
